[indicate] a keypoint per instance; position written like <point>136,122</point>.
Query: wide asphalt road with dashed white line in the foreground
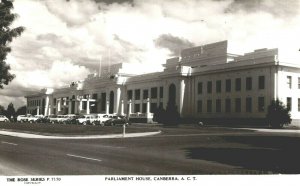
<point>174,151</point>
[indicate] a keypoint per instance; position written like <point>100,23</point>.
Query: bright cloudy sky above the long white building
<point>64,40</point>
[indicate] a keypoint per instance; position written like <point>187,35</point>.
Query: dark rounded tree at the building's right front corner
<point>278,114</point>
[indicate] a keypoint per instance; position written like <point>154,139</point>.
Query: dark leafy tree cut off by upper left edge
<point>6,36</point>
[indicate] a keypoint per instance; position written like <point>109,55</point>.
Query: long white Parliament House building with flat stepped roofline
<point>205,82</point>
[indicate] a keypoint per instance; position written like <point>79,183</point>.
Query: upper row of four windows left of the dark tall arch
<point>153,95</point>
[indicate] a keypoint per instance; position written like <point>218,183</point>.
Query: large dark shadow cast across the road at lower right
<point>265,154</point>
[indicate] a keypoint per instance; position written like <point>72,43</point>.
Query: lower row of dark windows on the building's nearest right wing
<point>228,105</point>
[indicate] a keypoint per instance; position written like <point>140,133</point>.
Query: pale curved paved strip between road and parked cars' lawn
<point>127,135</point>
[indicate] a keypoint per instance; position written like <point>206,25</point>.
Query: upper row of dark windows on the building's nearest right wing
<point>228,85</point>
